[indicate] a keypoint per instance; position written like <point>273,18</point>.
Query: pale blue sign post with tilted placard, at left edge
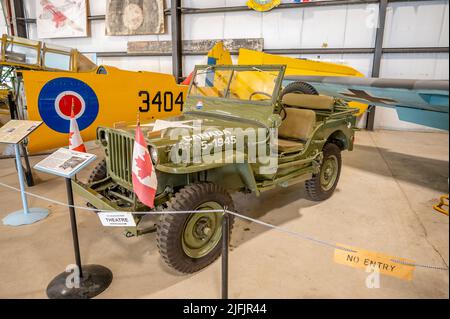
<point>13,133</point>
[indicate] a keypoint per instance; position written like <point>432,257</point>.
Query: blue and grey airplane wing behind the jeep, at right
<point>424,102</point>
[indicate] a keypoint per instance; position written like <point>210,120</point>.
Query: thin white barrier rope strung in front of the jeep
<point>256,221</point>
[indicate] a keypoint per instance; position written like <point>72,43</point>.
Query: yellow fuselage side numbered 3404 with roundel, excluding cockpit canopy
<point>106,96</point>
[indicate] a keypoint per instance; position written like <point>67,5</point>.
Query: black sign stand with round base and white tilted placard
<point>81,281</point>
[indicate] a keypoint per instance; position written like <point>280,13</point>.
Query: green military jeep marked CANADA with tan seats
<point>239,131</point>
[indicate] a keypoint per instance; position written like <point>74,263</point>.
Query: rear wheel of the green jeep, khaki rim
<point>323,184</point>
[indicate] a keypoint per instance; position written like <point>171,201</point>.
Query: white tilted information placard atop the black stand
<point>65,163</point>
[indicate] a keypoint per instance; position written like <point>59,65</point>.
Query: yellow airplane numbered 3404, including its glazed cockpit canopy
<point>55,78</point>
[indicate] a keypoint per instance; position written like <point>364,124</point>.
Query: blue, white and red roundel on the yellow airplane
<point>57,98</point>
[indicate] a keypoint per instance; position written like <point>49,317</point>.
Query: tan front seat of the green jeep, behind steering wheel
<point>295,130</point>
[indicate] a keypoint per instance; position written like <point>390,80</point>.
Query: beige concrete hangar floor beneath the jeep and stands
<point>382,203</point>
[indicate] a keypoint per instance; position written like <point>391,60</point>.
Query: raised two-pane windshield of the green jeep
<point>246,83</point>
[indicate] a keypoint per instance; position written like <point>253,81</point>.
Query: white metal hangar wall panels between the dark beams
<point>408,24</point>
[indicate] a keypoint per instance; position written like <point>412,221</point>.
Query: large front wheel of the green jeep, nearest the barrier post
<point>190,242</point>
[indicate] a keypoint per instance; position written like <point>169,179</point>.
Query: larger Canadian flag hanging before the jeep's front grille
<point>143,172</point>
